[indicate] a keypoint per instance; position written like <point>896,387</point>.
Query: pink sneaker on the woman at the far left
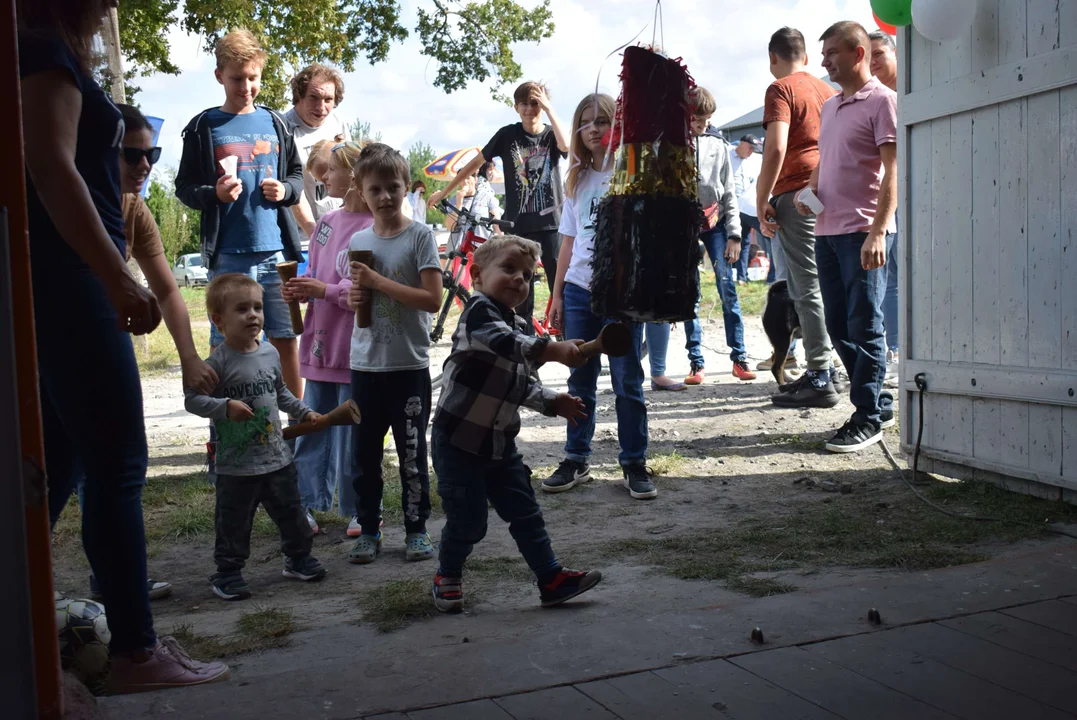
<point>164,666</point>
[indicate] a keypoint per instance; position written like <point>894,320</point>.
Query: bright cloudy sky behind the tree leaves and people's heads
<point>723,43</point>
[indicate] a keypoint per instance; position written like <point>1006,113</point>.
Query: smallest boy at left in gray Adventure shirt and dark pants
<point>254,463</point>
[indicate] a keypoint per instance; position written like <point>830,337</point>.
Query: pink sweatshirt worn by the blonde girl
<point>326,345</point>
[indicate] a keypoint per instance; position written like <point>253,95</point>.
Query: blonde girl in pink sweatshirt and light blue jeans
<point>326,461</point>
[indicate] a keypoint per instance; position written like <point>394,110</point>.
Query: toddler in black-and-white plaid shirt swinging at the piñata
<point>488,376</point>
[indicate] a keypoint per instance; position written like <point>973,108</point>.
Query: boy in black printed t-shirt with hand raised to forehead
<point>531,153</point>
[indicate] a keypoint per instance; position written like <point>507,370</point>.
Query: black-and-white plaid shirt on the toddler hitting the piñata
<point>488,378</point>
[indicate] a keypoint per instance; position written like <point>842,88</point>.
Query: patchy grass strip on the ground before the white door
<point>854,532</point>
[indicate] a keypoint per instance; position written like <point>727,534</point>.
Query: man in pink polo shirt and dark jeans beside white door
<point>857,186</point>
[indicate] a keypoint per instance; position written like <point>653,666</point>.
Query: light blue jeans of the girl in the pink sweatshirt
<point>326,462</point>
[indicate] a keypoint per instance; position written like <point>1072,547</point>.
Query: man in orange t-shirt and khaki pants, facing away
<point>791,153</point>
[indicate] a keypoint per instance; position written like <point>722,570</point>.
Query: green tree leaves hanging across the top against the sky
<point>470,39</point>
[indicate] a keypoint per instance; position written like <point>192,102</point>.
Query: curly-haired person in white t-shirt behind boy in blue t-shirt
<point>316,92</point>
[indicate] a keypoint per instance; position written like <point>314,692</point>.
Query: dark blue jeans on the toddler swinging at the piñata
<point>467,483</point>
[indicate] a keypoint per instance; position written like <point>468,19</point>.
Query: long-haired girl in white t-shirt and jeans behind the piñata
<point>590,172</point>
